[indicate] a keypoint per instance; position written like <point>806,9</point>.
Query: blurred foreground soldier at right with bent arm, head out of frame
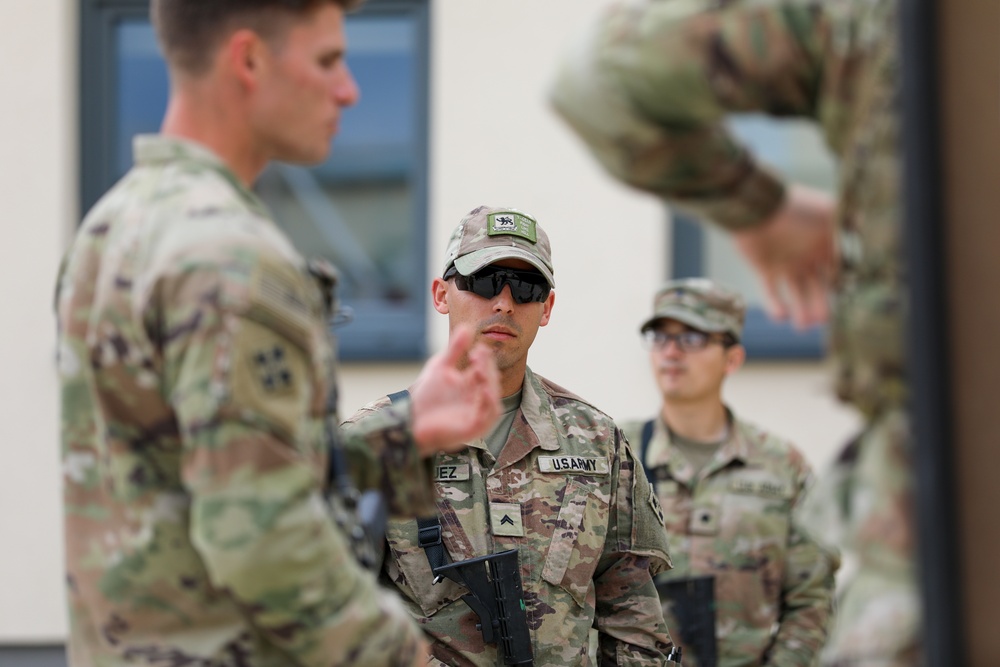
<point>648,91</point>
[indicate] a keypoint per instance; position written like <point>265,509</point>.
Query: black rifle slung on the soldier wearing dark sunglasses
<point>496,597</point>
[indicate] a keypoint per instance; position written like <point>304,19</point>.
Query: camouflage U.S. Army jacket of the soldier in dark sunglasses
<point>592,537</point>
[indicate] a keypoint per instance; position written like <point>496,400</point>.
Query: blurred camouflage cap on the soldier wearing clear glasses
<point>701,304</point>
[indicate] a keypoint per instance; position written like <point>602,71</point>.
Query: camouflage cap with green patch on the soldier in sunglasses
<point>488,234</point>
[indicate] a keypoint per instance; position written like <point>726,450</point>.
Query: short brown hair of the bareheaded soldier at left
<point>189,30</point>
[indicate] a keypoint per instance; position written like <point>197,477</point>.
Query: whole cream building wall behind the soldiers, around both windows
<point>493,141</point>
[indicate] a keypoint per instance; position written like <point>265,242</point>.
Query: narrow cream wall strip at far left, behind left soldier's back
<point>38,195</point>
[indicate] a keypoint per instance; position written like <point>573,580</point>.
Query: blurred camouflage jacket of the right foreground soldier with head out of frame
<point>649,91</point>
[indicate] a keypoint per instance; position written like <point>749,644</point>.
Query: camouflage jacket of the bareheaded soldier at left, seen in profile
<point>195,365</point>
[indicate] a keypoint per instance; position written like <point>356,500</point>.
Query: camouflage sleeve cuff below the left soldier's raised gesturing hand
<point>382,456</point>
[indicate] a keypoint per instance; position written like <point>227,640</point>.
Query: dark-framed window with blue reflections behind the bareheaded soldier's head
<point>364,208</point>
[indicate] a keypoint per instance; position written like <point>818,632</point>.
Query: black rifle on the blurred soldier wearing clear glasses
<point>693,604</point>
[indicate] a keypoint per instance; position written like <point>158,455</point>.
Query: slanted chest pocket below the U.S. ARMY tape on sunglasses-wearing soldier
<point>577,541</point>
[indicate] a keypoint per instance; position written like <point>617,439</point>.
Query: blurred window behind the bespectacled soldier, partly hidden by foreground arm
<point>796,150</point>
